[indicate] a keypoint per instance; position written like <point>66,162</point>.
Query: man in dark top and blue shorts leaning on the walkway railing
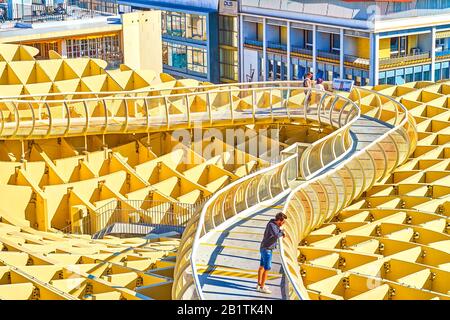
<point>268,244</point>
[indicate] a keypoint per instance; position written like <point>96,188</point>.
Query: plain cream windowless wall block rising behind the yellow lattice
<point>142,45</point>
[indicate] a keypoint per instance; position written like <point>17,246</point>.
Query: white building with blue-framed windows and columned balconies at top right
<point>369,42</point>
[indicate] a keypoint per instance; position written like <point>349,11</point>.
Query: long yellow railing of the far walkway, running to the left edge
<point>52,127</point>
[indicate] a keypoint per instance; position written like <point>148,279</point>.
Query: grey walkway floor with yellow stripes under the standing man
<point>228,260</point>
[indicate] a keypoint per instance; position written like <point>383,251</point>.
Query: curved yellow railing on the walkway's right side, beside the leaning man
<point>350,178</point>
